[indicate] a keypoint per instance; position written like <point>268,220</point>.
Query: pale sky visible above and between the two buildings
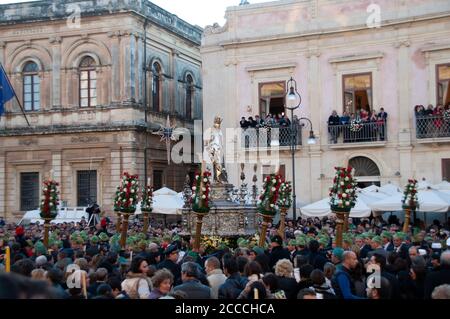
<point>196,12</point>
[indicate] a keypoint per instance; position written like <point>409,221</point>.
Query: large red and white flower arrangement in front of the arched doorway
<point>343,193</point>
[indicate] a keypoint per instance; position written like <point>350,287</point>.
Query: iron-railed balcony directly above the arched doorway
<point>361,134</point>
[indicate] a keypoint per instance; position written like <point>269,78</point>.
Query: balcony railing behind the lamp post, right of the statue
<point>271,137</point>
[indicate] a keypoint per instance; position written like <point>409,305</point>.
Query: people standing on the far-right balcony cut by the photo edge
<point>432,121</point>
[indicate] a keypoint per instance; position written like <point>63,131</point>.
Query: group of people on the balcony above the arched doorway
<point>361,126</point>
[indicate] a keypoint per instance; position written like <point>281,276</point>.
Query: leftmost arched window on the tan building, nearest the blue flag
<point>31,87</point>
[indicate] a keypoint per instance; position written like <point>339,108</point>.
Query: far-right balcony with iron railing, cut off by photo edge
<point>432,129</point>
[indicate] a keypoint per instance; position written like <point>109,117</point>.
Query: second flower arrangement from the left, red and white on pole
<point>127,194</point>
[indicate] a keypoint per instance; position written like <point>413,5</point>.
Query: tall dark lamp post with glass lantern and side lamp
<point>293,96</point>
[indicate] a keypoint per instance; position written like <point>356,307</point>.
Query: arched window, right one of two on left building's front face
<point>88,82</point>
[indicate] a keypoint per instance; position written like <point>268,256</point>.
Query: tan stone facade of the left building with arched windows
<point>110,136</point>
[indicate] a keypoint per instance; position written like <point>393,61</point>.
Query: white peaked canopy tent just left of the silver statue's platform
<point>165,202</point>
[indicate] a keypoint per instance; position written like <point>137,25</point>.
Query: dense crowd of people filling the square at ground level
<point>376,261</point>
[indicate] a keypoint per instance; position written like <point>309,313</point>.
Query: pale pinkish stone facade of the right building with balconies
<point>317,42</point>
